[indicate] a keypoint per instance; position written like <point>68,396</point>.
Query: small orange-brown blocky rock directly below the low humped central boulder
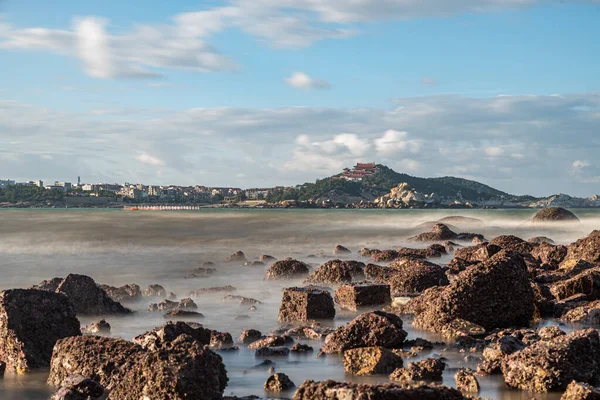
<point>371,360</point>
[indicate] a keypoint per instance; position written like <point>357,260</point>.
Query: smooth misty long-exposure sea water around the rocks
<point>117,247</point>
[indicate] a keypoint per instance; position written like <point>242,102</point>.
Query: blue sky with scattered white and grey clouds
<point>266,92</point>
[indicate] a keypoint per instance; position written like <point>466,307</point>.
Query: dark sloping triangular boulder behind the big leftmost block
<point>87,297</point>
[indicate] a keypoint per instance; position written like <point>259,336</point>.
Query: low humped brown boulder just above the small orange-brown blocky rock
<point>376,328</point>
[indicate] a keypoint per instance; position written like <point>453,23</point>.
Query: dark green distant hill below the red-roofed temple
<point>371,187</point>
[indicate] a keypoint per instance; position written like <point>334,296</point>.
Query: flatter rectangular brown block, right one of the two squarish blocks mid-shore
<point>358,295</point>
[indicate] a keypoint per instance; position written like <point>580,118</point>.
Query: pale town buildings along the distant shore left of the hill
<point>152,193</point>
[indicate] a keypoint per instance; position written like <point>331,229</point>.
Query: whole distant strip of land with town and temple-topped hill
<point>366,185</point>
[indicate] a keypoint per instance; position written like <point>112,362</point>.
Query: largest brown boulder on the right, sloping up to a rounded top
<point>493,294</point>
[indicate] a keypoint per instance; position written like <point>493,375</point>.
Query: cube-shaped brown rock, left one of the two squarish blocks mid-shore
<point>304,304</point>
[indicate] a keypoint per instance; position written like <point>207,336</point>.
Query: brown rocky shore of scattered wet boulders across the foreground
<point>485,300</point>
